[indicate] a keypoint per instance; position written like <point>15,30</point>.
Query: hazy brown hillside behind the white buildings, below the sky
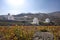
<point>53,16</point>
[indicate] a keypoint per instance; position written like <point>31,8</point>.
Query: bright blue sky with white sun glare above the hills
<point>26,6</point>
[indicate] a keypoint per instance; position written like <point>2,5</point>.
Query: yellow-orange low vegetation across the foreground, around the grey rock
<point>26,32</point>
